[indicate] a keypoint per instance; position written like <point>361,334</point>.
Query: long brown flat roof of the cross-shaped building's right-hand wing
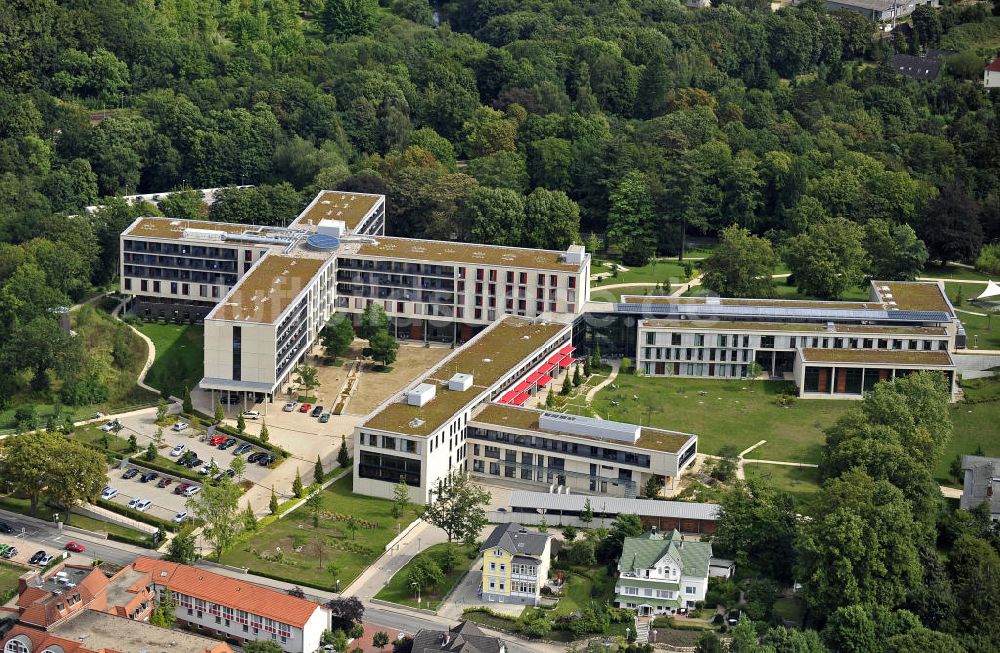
<point>440,251</point>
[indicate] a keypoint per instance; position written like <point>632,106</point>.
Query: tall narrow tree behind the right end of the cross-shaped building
<point>631,219</point>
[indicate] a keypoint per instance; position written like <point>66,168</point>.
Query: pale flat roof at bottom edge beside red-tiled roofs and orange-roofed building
<point>98,631</point>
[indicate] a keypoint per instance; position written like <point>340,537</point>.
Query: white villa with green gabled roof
<point>659,574</point>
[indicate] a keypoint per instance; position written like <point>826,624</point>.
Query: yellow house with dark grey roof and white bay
<point>515,565</point>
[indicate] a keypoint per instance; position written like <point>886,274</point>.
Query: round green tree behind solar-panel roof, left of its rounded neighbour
<point>741,266</point>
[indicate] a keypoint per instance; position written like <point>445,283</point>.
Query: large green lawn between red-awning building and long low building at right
<point>721,412</point>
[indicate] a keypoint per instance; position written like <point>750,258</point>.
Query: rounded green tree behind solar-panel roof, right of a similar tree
<point>828,258</point>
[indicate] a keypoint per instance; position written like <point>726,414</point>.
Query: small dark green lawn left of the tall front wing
<point>179,361</point>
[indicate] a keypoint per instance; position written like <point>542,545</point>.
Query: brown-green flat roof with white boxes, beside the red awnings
<point>488,357</point>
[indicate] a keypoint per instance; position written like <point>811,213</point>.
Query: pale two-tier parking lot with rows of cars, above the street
<point>165,503</point>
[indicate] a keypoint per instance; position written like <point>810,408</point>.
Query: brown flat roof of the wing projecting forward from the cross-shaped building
<point>268,289</point>
